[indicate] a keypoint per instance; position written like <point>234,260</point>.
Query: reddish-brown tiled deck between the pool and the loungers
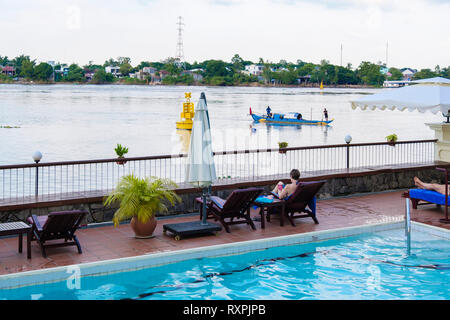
<point>107,242</point>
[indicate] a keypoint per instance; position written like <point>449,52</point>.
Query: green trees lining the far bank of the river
<point>216,72</point>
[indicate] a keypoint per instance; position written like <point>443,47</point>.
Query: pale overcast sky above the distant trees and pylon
<point>417,31</point>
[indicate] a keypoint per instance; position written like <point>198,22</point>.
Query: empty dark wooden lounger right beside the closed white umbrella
<point>236,208</point>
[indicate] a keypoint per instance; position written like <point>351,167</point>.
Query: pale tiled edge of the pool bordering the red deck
<point>104,267</point>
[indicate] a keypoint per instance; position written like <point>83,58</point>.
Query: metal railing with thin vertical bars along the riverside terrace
<point>26,180</point>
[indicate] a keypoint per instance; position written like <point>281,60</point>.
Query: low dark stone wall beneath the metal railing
<point>333,188</point>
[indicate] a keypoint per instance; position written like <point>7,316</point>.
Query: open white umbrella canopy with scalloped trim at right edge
<point>431,95</point>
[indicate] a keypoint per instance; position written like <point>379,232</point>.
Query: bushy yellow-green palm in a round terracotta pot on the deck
<point>139,200</point>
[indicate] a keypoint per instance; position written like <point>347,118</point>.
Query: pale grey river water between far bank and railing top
<point>79,122</point>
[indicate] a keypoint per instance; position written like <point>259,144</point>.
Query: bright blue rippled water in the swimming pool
<point>370,266</point>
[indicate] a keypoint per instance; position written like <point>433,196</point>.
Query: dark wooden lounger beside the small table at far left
<point>57,226</point>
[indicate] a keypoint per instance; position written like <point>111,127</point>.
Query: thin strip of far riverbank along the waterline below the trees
<point>312,85</point>
